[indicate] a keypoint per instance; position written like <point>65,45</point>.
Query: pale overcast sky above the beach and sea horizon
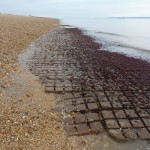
<point>76,8</point>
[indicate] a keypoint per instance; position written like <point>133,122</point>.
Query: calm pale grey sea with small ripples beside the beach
<point>130,36</point>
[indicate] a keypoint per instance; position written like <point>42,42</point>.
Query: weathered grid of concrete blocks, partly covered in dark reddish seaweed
<point>97,90</point>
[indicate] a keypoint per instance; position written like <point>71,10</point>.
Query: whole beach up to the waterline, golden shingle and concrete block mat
<point>60,90</point>
